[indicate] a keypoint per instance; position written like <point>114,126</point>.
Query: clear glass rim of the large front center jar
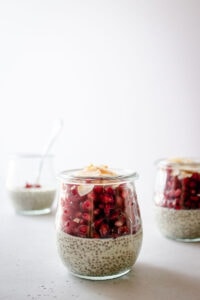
<point>122,174</point>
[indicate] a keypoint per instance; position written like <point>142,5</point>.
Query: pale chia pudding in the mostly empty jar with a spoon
<point>32,200</point>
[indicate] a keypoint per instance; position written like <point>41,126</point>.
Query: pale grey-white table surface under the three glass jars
<point>31,269</point>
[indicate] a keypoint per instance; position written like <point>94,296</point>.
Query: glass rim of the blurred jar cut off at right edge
<point>178,162</point>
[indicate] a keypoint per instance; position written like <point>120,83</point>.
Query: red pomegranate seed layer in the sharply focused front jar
<point>104,212</point>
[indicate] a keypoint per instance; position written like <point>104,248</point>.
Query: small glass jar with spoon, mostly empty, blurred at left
<point>31,183</point>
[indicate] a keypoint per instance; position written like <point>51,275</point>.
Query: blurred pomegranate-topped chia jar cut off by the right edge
<point>177,198</point>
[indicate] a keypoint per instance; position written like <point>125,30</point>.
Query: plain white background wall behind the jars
<point>123,75</point>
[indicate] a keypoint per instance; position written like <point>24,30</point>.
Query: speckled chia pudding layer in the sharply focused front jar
<point>99,258</point>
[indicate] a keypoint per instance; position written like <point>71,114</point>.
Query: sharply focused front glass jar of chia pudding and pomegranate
<point>98,223</point>
